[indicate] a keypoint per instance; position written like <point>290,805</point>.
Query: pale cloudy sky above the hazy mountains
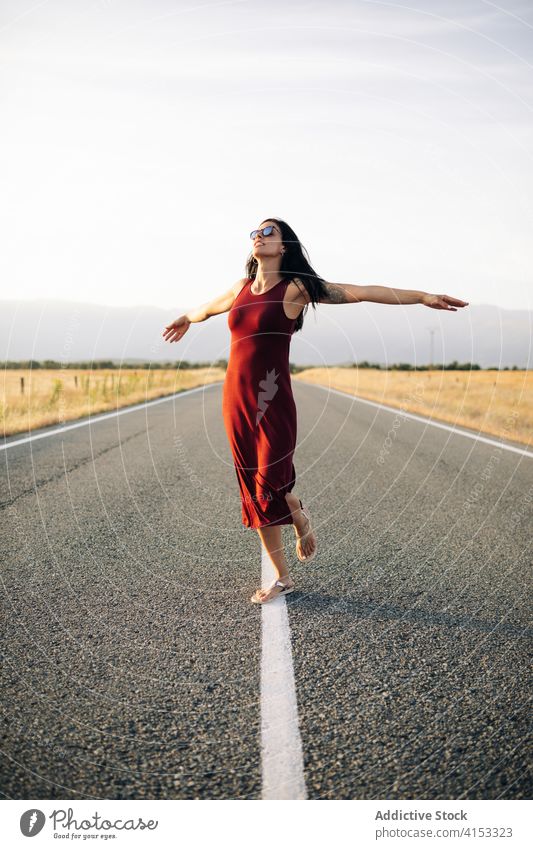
<point>142,141</point>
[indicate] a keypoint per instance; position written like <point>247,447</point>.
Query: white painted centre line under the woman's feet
<point>281,745</point>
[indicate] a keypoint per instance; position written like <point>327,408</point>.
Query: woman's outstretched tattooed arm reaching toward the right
<point>348,293</point>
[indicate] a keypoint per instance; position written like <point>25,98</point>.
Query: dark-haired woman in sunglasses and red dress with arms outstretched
<point>265,308</point>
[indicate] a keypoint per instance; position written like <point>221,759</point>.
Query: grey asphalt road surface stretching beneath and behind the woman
<point>131,655</point>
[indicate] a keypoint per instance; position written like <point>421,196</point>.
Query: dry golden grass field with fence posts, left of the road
<point>54,396</point>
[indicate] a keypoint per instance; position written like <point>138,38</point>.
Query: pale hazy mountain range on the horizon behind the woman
<point>69,331</point>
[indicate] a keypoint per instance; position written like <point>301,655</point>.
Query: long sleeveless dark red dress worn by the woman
<point>258,406</point>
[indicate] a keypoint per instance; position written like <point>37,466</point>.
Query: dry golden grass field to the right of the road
<point>499,403</point>
